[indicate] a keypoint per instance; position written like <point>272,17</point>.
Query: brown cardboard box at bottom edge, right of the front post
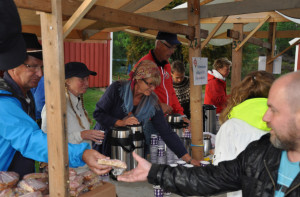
<point>105,190</point>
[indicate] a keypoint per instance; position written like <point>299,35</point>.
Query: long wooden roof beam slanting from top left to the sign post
<point>112,15</point>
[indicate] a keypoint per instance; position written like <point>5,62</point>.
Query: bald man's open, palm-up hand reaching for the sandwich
<point>139,173</point>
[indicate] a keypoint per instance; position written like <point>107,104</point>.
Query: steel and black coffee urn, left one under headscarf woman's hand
<point>122,145</point>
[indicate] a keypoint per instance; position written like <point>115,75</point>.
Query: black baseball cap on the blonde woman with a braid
<point>77,69</point>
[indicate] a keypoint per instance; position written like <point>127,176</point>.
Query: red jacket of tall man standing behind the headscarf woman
<point>165,90</point>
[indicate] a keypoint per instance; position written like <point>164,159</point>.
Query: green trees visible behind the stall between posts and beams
<point>128,49</point>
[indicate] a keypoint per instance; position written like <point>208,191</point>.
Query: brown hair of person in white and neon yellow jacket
<point>255,85</point>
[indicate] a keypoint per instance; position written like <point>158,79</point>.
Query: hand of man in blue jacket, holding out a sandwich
<point>90,157</point>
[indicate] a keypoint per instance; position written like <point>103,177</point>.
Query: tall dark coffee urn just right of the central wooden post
<point>209,119</point>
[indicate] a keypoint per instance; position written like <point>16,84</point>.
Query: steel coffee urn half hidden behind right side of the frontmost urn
<point>138,141</point>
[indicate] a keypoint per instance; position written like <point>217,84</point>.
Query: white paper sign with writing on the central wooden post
<point>200,70</point>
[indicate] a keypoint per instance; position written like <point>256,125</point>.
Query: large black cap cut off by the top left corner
<point>12,45</point>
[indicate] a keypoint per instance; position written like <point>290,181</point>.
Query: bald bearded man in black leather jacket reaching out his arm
<point>259,170</point>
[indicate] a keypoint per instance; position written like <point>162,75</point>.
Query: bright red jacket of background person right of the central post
<point>215,93</point>
